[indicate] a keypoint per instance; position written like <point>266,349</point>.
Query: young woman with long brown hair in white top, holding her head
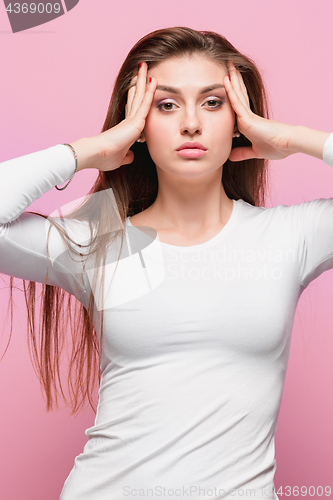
<point>186,285</point>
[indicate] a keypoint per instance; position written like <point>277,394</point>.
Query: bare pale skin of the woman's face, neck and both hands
<point>191,205</point>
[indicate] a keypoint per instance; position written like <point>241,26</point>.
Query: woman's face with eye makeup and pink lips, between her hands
<point>189,111</point>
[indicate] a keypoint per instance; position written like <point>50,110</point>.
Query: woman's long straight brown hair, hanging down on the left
<point>134,188</point>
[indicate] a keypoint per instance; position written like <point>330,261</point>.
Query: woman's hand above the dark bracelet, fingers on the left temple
<point>110,149</point>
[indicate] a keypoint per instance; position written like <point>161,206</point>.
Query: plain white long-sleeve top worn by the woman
<point>196,339</point>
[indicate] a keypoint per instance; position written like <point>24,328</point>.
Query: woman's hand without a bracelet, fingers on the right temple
<point>270,139</point>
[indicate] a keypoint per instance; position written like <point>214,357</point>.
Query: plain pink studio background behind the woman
<point>55,86</point>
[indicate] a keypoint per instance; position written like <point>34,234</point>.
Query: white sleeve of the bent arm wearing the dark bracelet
<point>24,250</point>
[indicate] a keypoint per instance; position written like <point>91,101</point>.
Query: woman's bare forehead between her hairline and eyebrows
<point>192,69</point>
